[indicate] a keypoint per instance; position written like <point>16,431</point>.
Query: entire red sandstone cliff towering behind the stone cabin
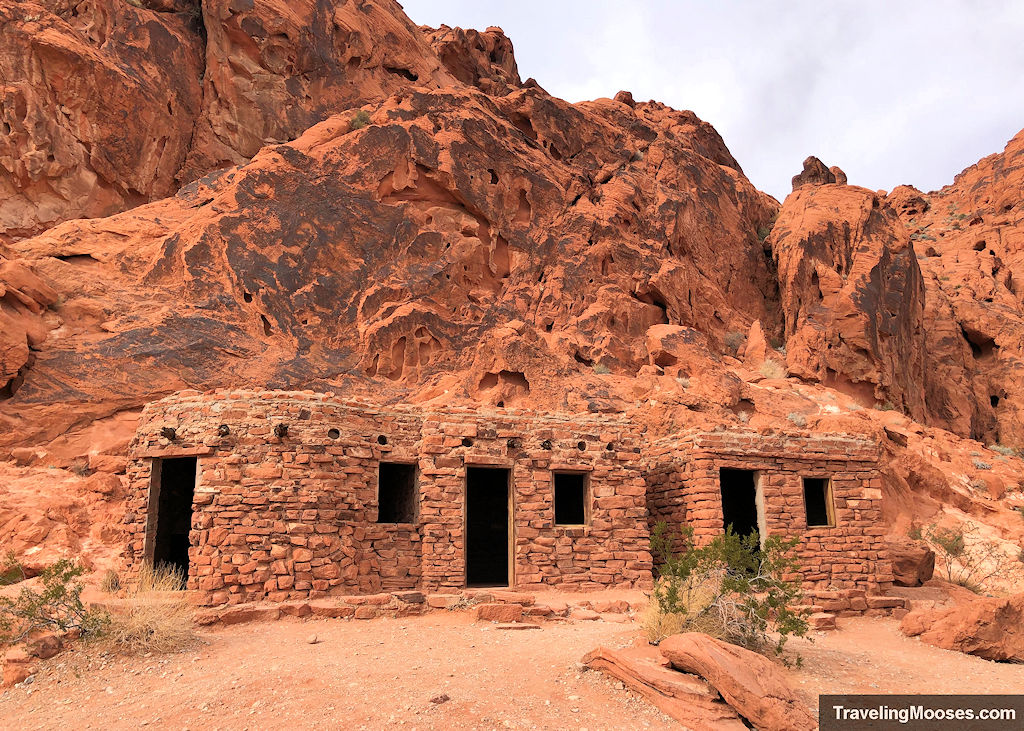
<point>478,240</point>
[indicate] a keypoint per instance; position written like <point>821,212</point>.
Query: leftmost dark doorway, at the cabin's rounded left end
<point>175,483</point>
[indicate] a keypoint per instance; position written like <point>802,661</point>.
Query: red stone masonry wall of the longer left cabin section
<point>294,517</point>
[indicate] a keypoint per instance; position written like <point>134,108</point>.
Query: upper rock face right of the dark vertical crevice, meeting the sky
<point>276,68</point>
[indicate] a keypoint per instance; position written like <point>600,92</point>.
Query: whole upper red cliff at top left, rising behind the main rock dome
<point>110,105</point>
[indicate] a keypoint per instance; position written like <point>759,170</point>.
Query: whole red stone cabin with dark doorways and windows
<point>280,496</point>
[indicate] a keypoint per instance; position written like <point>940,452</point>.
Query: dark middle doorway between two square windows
<point>487,527</point>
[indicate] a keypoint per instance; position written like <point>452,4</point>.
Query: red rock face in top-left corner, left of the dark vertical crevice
<point>98,104</point>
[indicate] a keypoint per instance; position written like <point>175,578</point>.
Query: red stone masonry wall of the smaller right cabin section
<point>685,489</point>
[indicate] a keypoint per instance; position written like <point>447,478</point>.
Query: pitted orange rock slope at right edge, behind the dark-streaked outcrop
<point>970,237</point>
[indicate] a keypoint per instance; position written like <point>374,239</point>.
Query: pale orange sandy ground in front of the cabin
<point>385,673</point>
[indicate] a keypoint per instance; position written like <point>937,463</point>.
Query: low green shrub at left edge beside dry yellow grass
<point>58,608</point>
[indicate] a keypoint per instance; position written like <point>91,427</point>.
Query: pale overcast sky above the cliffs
<point>894,92</point>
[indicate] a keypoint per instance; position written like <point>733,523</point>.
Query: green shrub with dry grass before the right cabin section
<point>733,588</point>
